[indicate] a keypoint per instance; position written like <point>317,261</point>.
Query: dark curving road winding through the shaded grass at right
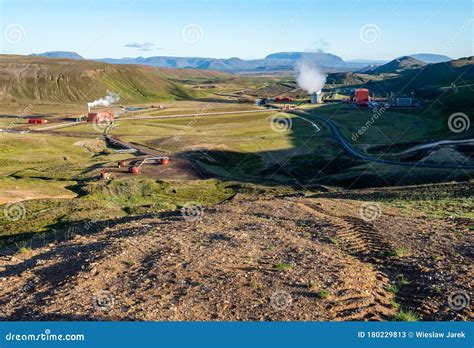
<point>353,152</point>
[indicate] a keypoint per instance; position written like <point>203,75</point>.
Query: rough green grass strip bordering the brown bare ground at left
<point>99,201</point>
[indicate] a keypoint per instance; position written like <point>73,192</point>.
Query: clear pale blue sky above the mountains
<point>375,29</point>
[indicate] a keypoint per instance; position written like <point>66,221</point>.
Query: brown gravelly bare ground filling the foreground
<point>266,258</point>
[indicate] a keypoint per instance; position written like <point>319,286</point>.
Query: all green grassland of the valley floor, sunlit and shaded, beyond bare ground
<point>52,174</point>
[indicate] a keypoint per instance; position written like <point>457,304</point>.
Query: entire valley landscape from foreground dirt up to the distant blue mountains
<point>264,210</point>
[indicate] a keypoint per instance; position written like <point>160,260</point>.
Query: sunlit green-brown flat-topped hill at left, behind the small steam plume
<point>64,80</point>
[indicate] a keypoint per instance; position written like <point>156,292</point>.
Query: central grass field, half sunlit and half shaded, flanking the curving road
<point>244,147</point>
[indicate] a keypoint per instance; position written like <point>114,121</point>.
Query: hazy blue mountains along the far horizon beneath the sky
<point>280,62</point>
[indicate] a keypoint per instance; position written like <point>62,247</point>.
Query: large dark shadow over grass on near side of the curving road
<point>314,159</point>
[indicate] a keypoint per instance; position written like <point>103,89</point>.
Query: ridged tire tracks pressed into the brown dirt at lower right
<point>410,281</point>
